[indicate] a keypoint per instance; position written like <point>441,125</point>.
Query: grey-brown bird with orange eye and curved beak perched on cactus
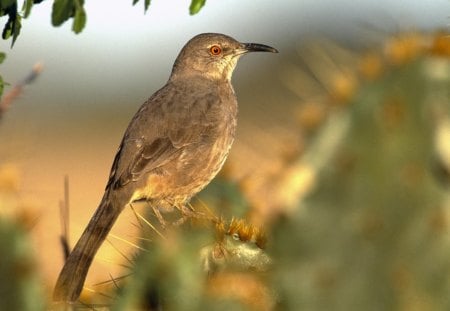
<point>173,147</point>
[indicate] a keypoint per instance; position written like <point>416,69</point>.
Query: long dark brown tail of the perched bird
<point>71,278</point>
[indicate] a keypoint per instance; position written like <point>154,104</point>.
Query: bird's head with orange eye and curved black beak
<point>213,55</point>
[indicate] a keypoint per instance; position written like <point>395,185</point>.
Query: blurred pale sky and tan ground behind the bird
<point>70,121</point>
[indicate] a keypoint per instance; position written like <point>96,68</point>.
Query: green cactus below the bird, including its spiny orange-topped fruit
<point>180,272</point>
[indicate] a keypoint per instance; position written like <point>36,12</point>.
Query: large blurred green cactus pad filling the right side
<point>374,234</point>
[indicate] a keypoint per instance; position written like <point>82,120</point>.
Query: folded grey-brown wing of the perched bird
<point>151,142</point>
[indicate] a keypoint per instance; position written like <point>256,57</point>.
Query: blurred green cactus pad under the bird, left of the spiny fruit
<point>167,275</point>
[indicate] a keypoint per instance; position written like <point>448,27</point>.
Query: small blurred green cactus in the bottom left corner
<point>20,288</point>
